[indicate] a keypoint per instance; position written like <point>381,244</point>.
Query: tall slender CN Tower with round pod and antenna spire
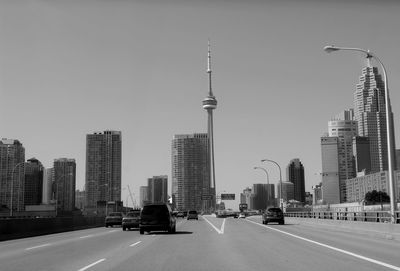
<point>209,104</point>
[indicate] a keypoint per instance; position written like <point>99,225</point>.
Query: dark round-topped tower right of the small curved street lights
<point>295,175</point>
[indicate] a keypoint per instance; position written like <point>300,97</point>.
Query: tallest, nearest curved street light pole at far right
<point>389,131</point>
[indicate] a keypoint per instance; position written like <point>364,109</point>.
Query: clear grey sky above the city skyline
<point>70,68</point>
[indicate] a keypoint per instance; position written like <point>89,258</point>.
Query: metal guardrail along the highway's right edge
<point>377,216</point>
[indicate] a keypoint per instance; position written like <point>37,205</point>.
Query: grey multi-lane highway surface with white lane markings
<point>207,244</point>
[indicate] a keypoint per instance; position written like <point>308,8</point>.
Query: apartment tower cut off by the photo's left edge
<point>12,157</point>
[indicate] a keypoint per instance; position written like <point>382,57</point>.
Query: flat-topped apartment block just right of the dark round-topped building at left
<point>65,182</point>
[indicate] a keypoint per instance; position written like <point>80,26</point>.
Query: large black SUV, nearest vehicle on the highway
<point>157,217</point>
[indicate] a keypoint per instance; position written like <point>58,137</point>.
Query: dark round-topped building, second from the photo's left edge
<point>33,190</point>
